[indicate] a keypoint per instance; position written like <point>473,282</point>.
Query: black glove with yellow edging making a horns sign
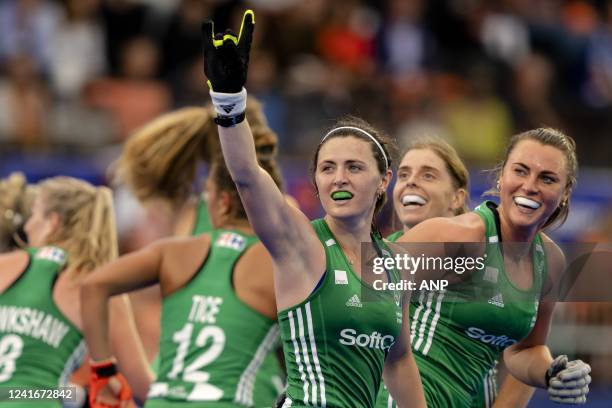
<point>226,58</point>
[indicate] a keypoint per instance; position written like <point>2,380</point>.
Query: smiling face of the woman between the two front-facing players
<point>424,188</point>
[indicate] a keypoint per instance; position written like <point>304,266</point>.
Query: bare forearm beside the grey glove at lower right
<point>529,365</point>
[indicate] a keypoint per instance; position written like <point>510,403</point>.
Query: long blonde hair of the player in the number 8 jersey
<point>87,230</point>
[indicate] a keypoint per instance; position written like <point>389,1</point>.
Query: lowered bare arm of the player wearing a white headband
<point>401,374</point>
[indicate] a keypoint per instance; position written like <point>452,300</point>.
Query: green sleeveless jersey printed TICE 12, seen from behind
<point>212,345</point>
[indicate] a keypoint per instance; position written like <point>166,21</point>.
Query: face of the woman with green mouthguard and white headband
<point>347,177</point>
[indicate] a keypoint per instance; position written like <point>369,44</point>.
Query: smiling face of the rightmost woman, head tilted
<point>532,184</point>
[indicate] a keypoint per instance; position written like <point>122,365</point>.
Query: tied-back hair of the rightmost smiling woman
<point>567,146</point>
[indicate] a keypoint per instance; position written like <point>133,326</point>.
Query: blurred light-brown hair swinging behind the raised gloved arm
<point>161,159</point>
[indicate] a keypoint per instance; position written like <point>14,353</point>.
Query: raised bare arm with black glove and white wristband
<point>278,224</point>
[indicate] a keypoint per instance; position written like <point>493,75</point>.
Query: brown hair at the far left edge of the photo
<point>16,198</point>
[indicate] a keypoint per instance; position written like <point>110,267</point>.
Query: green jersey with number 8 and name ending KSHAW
<point>39,346</point>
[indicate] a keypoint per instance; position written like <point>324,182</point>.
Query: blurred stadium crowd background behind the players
<point>78,76</point>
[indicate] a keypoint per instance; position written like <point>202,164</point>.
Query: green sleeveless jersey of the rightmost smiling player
<point>456,342</point>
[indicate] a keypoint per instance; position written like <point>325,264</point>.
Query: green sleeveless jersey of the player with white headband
<point>335,342</point>
